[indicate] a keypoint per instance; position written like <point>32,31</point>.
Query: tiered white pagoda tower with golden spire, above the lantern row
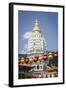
<point>36,42</point>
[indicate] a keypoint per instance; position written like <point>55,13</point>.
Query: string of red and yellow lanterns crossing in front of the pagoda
<point>40,58</point>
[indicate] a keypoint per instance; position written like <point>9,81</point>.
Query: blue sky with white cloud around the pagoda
<point>48,23</point>
